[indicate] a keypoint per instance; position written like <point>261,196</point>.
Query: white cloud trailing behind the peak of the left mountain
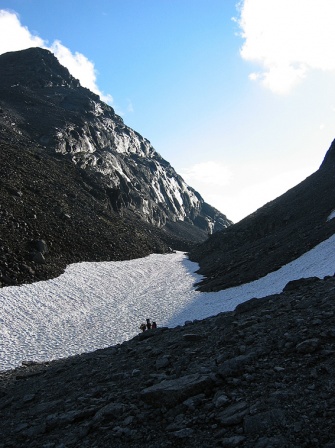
<point>14,36</point>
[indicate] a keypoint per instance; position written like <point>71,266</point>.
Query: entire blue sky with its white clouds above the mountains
<point>239,99</point>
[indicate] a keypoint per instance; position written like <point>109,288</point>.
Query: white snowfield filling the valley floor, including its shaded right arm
<point>94,305</point>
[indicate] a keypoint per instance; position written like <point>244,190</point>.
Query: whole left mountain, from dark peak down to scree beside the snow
<point>77,183</point>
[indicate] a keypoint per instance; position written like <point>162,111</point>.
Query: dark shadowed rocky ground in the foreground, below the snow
<point>261,376</point>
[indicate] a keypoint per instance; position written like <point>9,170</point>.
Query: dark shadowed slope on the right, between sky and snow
<point>274,235</point>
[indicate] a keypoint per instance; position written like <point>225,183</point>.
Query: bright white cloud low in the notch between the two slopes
<point>239,190</point>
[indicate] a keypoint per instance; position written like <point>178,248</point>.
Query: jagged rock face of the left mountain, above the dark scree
<point>41,100</point>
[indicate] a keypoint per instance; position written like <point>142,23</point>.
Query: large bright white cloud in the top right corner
<point>288,39</point>
